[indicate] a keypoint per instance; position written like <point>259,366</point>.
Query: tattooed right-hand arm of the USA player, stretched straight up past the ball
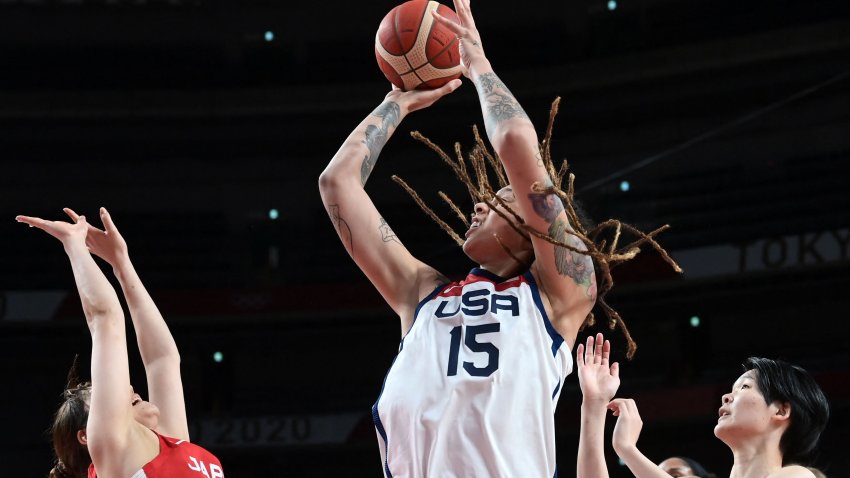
<point>567,276</point>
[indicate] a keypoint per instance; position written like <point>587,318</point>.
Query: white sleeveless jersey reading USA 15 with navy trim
<point>473,389</point>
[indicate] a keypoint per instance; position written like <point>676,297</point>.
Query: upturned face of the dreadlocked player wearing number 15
<point>481,244</point>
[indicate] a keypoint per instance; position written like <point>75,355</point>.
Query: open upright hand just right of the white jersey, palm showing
<point>598,381</point>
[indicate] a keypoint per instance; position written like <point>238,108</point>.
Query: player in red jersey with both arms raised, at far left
<point>104,428</point>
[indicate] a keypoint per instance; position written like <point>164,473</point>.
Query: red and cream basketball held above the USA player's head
<point>415,51</point>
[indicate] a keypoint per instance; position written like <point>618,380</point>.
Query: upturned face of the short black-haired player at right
<point>744,412</point>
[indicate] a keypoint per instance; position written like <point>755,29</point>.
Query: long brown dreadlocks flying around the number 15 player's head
<point>602,242</point>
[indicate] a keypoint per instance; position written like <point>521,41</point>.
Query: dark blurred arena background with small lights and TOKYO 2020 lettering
<point>204,124</point>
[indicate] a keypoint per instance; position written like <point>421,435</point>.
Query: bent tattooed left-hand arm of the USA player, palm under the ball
<point>400,278</point>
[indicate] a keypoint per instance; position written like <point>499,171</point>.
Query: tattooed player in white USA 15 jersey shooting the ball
<point>473,389</point>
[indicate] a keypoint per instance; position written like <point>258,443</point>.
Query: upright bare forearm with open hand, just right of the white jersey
<point>599,382</point>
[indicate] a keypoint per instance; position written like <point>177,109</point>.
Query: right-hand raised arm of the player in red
<point>156,344</point>
